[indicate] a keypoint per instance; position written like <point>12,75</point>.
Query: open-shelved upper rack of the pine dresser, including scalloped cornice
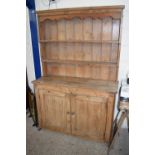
<point>81,42</point>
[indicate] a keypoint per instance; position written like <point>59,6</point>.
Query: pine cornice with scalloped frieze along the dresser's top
<point>92,12</point>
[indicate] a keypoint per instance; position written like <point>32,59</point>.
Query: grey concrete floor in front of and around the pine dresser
<point>45,142</point>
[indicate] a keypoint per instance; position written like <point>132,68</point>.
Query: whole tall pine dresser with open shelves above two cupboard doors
<point>80,51</point>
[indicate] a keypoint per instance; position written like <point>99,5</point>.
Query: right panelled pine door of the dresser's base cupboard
<point>88,116</point>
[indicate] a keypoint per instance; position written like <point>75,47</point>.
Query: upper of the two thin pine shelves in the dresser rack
<point>80,41</point>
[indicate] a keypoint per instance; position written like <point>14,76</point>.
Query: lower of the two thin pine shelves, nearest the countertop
<point>78,62</point>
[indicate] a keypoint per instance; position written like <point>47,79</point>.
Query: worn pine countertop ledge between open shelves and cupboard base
<point>101,85</point>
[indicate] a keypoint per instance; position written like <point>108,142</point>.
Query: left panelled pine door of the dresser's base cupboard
<point>54,110</point>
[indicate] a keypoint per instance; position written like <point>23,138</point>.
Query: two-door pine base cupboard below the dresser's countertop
<point>84,112</point>
